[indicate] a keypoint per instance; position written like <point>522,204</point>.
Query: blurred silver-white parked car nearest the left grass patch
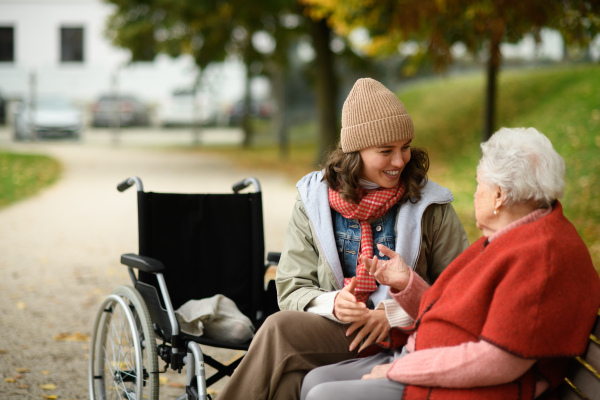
<point>48,117</point>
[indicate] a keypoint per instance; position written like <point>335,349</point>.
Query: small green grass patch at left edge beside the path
<point>22,175</point>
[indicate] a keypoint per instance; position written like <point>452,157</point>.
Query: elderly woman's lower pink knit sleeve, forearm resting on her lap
<point>467,365</point>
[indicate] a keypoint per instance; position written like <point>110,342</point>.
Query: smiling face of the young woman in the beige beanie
<point>384,164</point>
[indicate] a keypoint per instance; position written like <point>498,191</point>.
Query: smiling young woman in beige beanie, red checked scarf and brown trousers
<point>372,190</point>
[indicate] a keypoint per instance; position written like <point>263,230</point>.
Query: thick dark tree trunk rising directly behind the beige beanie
<point>326,87</point>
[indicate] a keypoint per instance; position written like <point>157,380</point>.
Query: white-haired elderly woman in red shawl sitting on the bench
<point>502,318</point>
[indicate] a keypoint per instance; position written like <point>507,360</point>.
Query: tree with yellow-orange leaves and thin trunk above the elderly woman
<point>481,25</point>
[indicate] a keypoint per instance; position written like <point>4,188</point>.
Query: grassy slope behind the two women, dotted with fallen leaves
<point>561,102</point>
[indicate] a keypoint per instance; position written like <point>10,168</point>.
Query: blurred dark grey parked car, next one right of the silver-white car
<point>130,111</point>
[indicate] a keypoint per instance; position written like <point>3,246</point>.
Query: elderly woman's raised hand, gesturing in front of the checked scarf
<point>394,272</point>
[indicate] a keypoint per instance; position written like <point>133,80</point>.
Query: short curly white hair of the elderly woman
<point>523,163</point>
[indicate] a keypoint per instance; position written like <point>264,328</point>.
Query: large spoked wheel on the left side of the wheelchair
<point>123,358</point>
